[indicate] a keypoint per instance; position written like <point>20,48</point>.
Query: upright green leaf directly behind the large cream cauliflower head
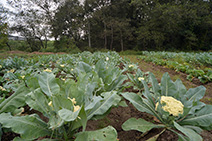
<point>167,86</point>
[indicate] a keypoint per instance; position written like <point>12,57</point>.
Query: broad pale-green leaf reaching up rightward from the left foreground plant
<point>110,99</point>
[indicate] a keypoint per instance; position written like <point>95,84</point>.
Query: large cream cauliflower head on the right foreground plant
<point>172,105</point>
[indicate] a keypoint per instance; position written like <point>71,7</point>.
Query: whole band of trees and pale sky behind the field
<point>108,25</point>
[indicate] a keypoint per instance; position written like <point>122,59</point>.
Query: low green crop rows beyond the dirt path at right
<point>194,64</point>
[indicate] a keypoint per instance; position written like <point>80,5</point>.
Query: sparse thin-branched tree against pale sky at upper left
<point>33,19</point>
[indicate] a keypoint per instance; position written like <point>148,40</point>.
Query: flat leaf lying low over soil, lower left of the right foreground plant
<point>139,125</point>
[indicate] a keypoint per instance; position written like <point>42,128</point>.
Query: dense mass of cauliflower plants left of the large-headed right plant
<point>87,93</point>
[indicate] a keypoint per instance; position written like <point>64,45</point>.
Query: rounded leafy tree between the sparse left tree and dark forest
<point>67,23</point>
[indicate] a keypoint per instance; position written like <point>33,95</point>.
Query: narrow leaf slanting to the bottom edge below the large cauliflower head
<point>191,134</point>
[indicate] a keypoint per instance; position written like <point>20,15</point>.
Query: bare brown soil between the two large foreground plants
<point>119,115</point>
